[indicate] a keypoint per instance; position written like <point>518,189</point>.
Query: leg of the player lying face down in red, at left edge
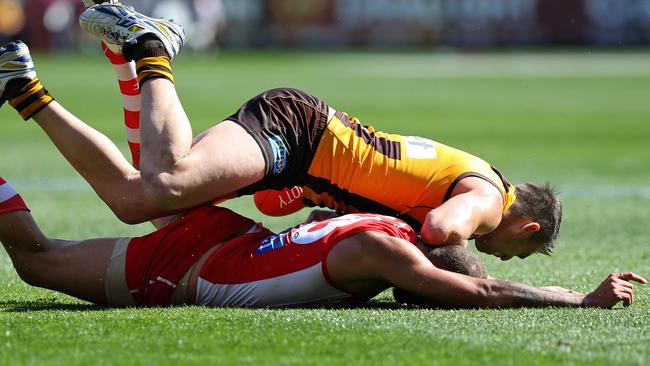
<point>76,268</point>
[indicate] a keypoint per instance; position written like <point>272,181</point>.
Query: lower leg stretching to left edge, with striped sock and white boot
<point>92,154</point>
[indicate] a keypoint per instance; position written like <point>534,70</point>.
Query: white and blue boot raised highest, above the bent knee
<point>118,26</point>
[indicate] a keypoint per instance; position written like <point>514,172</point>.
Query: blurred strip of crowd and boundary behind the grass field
<point>52,24</point>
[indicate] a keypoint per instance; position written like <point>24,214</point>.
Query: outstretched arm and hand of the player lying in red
<point>404,266</point>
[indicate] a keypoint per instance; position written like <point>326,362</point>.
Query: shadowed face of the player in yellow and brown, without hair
<point>506,241</point>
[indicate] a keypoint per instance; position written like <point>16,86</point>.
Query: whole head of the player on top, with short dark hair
<point>530,226</point>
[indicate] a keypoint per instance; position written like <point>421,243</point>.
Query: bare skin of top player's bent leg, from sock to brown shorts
<point>177,173</point>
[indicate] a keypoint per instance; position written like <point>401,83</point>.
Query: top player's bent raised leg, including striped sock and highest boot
<point>176,172</point>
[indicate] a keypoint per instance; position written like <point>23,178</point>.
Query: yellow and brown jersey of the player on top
<point>356,168</point>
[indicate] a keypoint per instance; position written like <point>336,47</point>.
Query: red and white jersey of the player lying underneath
<point>285,269</point>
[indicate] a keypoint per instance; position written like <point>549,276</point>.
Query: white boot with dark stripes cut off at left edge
<point>15,63</point>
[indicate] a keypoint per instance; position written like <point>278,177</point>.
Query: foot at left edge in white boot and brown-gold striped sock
<point>18,82</point>
